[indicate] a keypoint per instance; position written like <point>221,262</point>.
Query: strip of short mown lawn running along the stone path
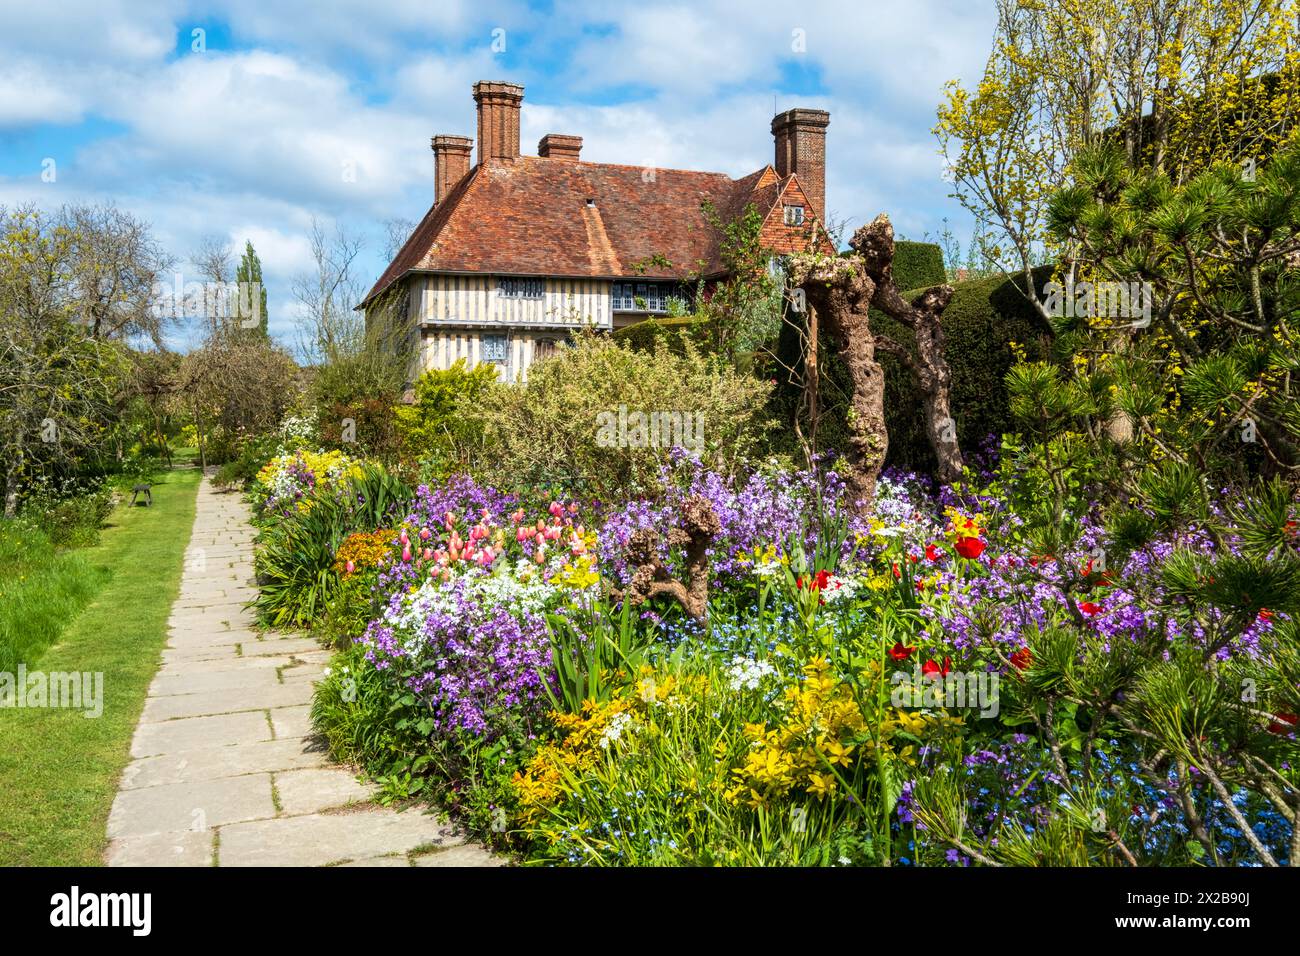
<point>60,771</point>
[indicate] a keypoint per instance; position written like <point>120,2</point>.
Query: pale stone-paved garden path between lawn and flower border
<point>224,767</point>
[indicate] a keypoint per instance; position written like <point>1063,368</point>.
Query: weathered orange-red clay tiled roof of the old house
<point>586,220</point>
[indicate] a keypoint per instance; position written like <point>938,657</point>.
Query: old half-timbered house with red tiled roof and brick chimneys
<point>519,252</point>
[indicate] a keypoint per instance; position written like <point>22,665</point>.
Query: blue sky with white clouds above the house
<point>242,131</point>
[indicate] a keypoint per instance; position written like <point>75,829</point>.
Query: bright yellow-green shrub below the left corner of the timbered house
<point>443,427</point>
